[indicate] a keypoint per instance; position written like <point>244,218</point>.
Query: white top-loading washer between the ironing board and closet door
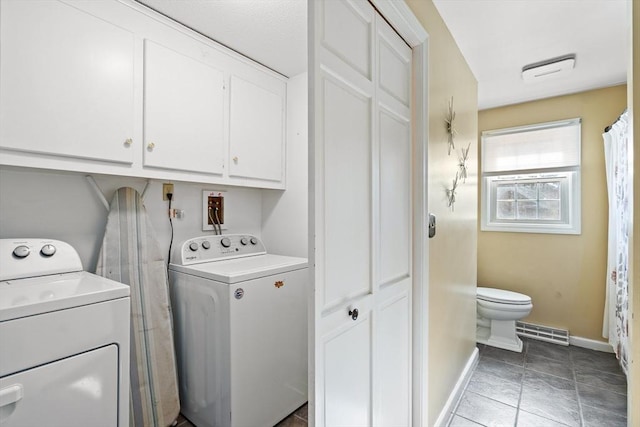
<point>240,321</point>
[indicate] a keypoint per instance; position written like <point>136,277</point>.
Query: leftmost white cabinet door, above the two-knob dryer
<point>66,82</point>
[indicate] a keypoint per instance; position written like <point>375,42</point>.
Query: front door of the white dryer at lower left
<point>81,390</point>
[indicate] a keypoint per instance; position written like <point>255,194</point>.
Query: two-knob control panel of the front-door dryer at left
<point>21,258</point>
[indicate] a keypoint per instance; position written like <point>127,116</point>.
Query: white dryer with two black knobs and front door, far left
<point>64,339</point>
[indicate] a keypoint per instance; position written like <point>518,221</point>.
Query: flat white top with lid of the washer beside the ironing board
<point>242,269</point>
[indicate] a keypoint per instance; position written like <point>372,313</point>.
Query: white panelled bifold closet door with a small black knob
<point>361,218</point>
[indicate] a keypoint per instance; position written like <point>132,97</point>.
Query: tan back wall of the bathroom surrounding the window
<point>563,274</point>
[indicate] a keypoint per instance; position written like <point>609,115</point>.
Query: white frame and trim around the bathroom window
<point>571,200</point>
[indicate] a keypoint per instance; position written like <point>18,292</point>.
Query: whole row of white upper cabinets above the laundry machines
<point>112,87</point>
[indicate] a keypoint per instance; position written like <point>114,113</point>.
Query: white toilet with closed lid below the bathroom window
<point>498,311</point>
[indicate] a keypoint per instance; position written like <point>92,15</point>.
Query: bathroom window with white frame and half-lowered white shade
<point>531,178</point>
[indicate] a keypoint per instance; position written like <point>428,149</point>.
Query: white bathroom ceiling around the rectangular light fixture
<point>499,37</point>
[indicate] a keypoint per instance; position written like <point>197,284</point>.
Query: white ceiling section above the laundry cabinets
<point>272,32</point>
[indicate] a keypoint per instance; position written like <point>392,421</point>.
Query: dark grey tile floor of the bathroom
<point>545,385</point>
